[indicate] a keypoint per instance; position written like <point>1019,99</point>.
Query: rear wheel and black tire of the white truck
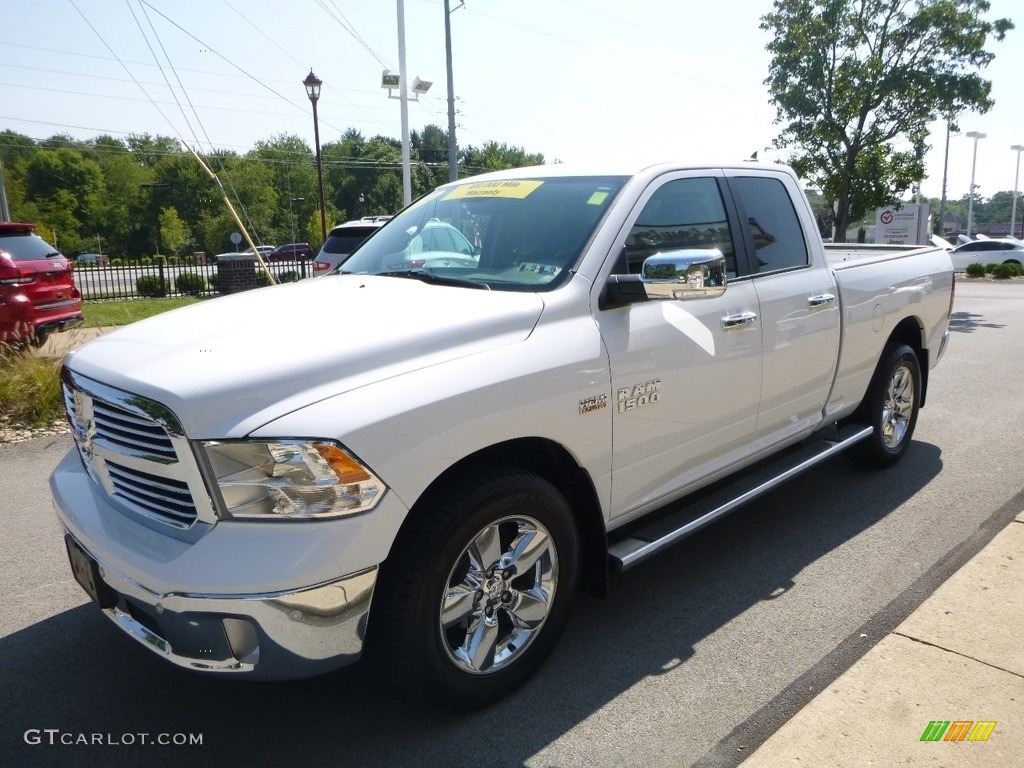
<point>891,407</point>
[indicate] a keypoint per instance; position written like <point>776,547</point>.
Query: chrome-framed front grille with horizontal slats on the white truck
<point>135,450</point>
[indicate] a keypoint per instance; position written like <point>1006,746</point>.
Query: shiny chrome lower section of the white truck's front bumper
<point>282,635</point>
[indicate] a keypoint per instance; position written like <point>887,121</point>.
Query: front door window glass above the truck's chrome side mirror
<point>684,215</point>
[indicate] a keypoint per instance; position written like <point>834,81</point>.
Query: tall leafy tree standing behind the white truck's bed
<point>856,83</point>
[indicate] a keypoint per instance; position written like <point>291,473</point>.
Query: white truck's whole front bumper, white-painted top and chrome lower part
<point>276,601</point>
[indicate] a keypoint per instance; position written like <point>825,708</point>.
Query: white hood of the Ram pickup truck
<point>228,366</point>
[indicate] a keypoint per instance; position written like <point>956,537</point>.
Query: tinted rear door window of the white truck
<point>779,239</point>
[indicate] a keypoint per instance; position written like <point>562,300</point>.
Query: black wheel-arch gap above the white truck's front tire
<point>554,463</point>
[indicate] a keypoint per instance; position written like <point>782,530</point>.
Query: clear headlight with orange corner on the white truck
<point>291,480</point>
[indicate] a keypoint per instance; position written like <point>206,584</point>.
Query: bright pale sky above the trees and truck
<point>579,81</point>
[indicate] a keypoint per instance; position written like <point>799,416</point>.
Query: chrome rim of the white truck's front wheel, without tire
<point>499,594</point>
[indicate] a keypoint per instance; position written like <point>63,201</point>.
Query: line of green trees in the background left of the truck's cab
<point>127,191</point>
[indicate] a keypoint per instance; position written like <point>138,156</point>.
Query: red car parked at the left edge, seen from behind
<point>37,290</point>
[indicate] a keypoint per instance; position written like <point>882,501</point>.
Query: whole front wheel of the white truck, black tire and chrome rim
<point>477,590</point>
